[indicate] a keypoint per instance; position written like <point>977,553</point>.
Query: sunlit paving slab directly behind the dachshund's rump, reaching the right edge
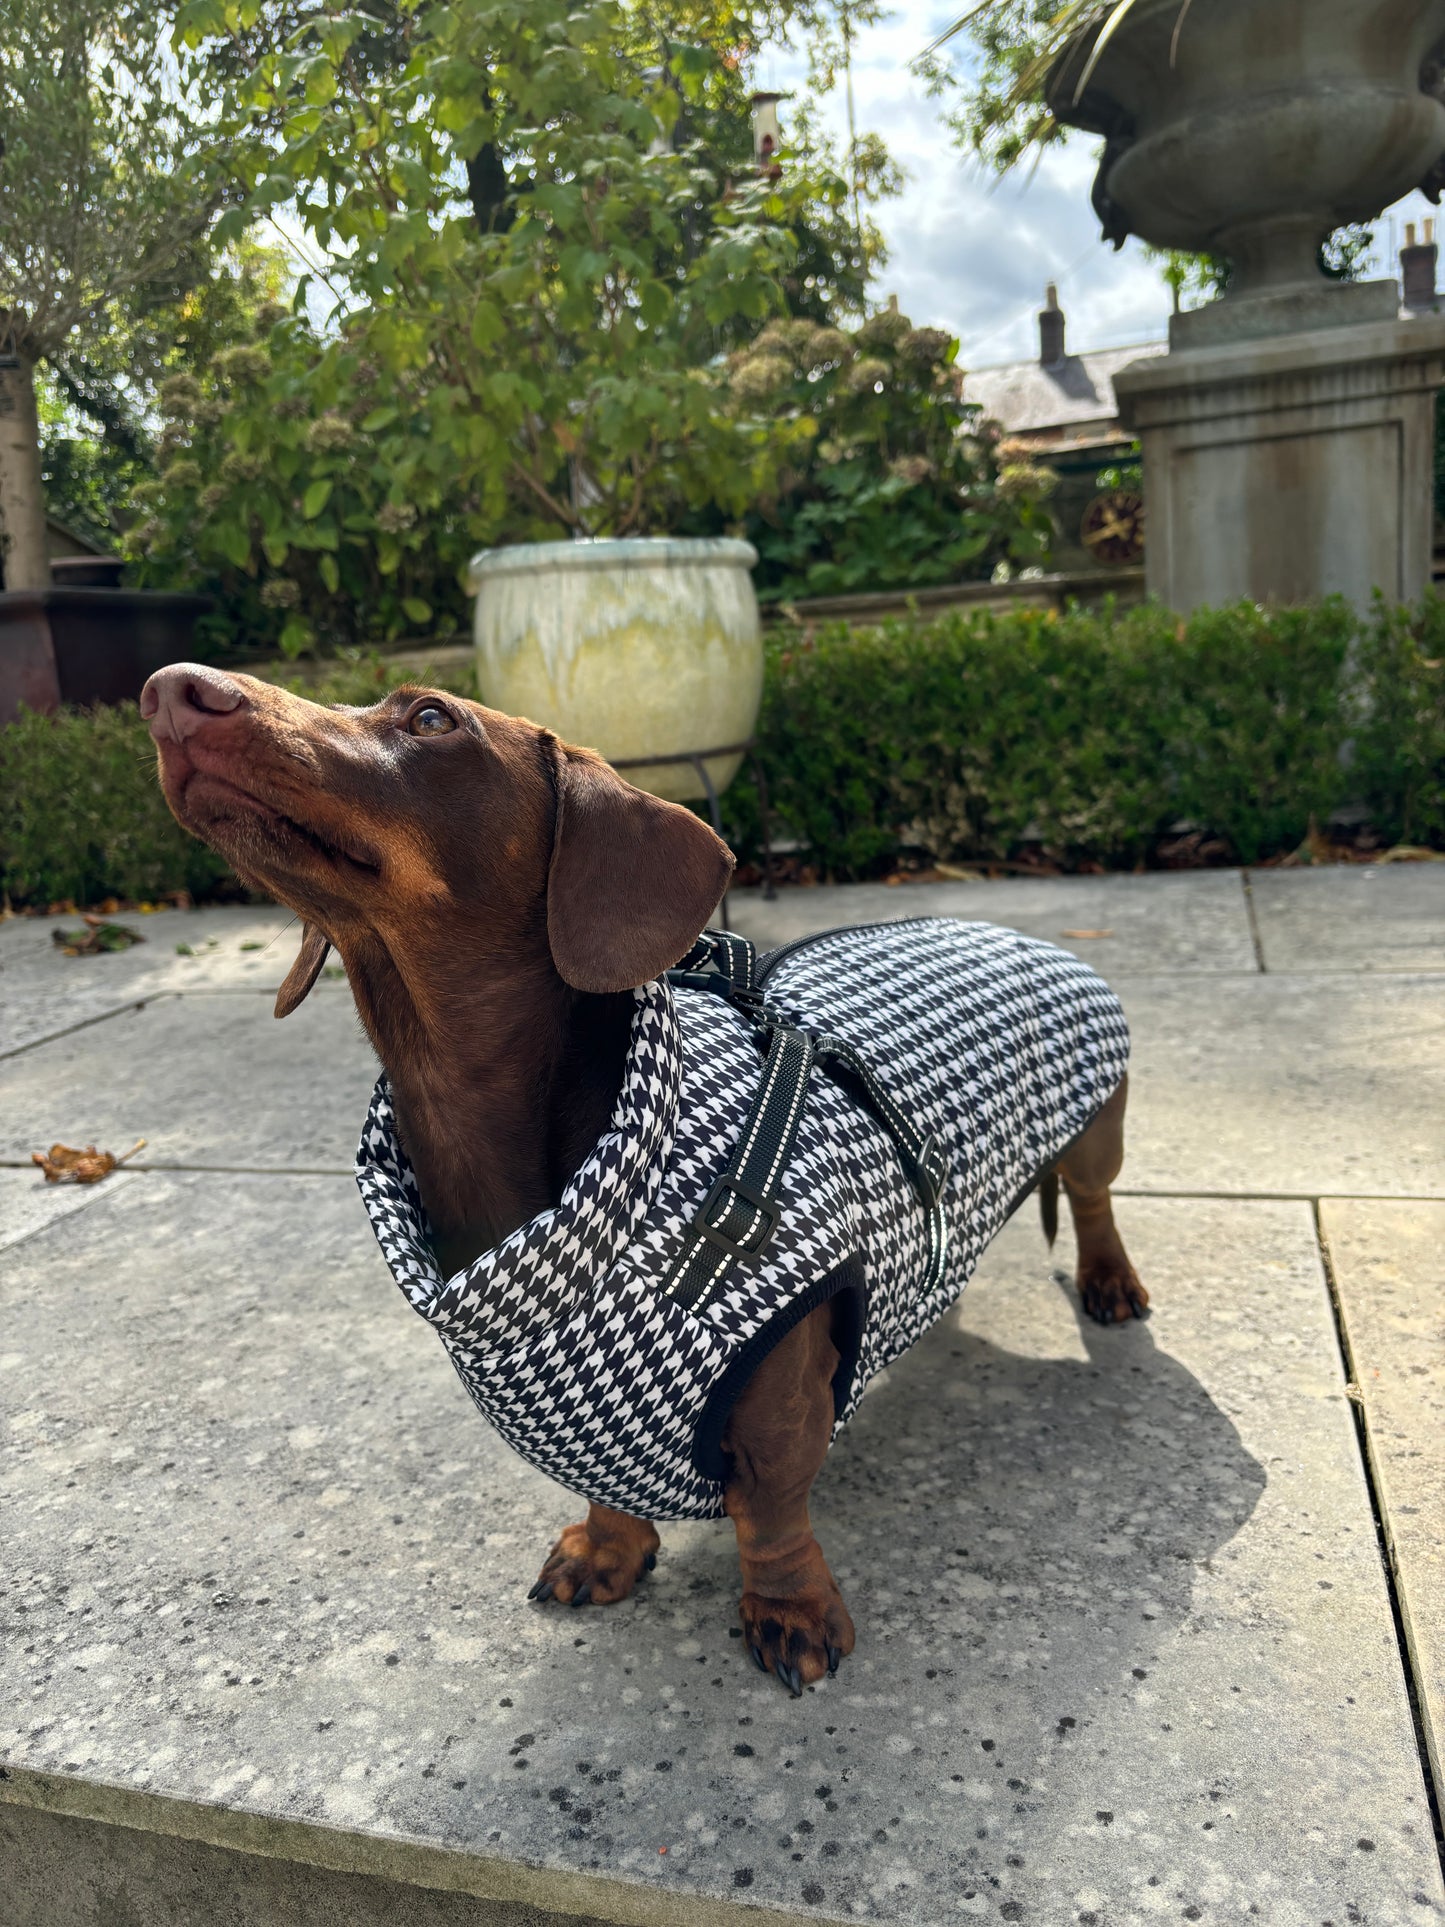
<point>1286,1086</point>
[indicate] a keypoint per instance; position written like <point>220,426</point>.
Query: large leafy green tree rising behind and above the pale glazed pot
<point>544,230</point>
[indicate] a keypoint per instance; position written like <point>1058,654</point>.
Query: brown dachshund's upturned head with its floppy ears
<point>433,814</point>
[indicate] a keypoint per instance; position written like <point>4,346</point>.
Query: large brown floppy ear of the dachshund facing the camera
<point>633,880</point>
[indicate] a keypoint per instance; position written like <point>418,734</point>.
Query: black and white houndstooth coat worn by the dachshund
<point>1001,1047</point>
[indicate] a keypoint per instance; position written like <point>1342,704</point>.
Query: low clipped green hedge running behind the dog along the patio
<point>959,739</point>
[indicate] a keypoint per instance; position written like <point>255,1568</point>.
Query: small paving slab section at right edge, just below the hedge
<point>1352,918</point>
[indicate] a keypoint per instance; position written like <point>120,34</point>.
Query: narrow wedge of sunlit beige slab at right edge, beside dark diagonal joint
<point>1392,1296</point>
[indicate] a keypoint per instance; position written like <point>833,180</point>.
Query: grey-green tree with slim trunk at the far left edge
<point>107,194</point>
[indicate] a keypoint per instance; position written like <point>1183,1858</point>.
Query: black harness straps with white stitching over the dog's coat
<point>741,1213</point>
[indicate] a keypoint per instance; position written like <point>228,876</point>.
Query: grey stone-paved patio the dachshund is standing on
<point>1151,1622</point>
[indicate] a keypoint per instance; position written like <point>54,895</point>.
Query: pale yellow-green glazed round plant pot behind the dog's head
<point>641,648</point>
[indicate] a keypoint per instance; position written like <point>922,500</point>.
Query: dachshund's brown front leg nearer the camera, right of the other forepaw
<point>793,1614</point>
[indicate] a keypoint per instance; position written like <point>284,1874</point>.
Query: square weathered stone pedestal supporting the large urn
<point>1290,467</point>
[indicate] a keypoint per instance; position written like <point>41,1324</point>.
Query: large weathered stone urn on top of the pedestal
<point>1253,130</point>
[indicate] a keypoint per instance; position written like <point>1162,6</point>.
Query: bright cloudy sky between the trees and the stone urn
<point>972,253</point>
